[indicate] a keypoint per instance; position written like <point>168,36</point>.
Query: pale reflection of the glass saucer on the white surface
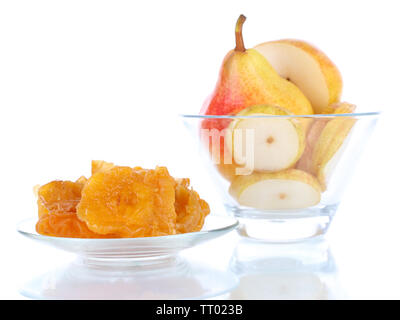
<point>172,278</point>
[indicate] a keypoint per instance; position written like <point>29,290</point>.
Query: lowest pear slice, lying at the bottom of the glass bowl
<point>288,189</point>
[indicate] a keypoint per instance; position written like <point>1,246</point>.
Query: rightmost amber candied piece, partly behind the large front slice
<point>190,209</point>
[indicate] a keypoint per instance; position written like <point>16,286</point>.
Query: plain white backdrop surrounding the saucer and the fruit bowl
<point>83,80</point>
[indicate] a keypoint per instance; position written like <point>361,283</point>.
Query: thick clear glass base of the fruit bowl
<point>283,227</point>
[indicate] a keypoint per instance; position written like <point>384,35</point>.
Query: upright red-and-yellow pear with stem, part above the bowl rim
<point>246,78</point>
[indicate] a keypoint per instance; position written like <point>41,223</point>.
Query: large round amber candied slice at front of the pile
<point>129,202</point>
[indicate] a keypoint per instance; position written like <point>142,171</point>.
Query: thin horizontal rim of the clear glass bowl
<point>330,115</point>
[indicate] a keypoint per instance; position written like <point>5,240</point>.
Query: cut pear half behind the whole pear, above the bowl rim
<point>307,67</point>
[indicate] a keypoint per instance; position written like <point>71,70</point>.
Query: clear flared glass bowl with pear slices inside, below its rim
<point>282,176</point>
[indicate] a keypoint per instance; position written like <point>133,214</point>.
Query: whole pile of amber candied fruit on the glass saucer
<point>118,202</point>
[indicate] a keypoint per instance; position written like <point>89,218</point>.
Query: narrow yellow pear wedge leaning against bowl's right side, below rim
<point>329,148</point>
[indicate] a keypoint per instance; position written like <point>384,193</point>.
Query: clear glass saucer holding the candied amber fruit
<point>129,252</point>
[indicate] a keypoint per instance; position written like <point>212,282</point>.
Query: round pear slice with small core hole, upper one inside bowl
<point>265,143</point>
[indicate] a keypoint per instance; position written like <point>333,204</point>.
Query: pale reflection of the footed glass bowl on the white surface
<point>285,271</point>
